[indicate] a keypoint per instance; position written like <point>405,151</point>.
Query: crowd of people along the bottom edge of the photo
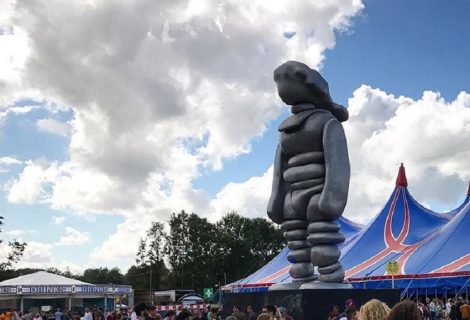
<point>430,309</point>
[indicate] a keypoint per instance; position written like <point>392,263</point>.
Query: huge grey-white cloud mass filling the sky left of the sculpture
<point>174,86</point>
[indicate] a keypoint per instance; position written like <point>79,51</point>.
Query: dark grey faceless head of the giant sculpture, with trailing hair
<point>297,83</point>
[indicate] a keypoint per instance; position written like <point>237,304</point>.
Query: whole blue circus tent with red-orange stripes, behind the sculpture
<point>431,248</point>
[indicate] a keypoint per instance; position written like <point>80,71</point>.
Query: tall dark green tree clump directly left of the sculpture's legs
<point>200,254</point>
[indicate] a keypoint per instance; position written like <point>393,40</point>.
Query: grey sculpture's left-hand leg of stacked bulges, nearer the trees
<point>301,270</point>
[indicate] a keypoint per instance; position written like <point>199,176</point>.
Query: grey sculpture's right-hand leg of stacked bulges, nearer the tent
<point>324,237</point>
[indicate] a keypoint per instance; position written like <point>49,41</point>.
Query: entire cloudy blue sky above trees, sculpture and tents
<point>114,114</point>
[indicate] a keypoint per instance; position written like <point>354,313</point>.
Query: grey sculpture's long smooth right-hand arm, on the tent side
<point>337,170</point>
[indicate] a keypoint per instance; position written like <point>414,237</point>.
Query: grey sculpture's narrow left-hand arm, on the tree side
<point>278,193</point>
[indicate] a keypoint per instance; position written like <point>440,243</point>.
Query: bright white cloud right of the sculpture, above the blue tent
<point>429,135</point>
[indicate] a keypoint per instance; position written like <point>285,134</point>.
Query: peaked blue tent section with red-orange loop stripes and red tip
<point>392,235</point>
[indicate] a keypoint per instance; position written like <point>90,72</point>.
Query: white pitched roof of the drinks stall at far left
<point>41,278</point>
